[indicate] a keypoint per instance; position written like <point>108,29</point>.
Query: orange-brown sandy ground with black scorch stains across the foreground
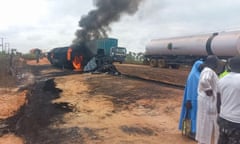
<point>67,107</point>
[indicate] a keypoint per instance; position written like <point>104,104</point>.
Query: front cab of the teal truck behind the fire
<point>118,54</point>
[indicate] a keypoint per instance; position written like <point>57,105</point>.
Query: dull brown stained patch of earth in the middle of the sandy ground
<point>129,93</point>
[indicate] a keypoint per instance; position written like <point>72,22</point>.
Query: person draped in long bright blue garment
<point>189,103</point>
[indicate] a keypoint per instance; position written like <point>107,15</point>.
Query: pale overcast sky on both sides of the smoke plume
<point>46,24</point>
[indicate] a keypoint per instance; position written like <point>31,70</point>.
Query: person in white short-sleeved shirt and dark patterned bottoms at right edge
<point>229,117</point>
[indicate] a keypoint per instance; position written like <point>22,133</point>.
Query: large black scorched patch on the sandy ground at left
<point>34,122</point>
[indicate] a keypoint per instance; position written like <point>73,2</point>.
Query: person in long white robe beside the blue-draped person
<point>207,128</point>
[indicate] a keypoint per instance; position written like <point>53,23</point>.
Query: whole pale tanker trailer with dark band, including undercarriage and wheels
<point>185,50</point>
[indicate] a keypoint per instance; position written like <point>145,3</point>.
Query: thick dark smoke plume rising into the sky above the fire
<point>96,24</point>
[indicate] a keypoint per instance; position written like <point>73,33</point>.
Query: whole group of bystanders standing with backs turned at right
<point>211,102</point>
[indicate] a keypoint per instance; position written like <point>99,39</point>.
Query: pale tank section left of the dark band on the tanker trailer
<point>190,45</point>
